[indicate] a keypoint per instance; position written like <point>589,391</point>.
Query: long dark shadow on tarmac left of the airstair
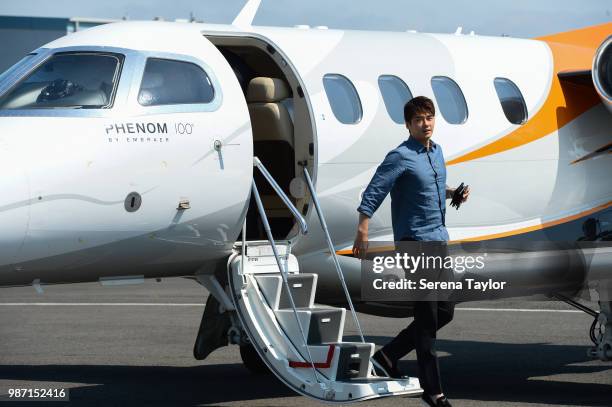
<point>148,385</point>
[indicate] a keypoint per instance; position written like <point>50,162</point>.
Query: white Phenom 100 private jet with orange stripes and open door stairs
<point>236,155</point>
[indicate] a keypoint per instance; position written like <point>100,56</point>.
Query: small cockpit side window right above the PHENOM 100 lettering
<point>170,82</point>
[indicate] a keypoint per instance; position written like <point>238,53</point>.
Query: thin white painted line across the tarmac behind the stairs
<point>166,304</point>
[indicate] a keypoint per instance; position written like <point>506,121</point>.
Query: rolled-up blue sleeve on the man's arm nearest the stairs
<point>382,182</point>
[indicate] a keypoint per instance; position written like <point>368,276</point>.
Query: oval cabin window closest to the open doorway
<point>343,98</point>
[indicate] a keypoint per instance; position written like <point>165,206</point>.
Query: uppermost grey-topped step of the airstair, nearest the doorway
<point>302,288</point>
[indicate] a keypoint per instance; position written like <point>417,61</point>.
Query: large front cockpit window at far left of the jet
<point>68,80</point>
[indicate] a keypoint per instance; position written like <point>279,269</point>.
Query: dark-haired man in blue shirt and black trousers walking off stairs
<point>415,174</point>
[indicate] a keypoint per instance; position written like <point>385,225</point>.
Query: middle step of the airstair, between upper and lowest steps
<point>321,325</point>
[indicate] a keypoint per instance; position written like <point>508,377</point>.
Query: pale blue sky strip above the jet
<point>516,18</point>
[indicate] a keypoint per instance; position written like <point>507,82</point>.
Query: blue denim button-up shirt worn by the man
<point>416,178</point>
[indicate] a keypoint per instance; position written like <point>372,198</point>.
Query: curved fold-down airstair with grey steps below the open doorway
<point>343,370</point>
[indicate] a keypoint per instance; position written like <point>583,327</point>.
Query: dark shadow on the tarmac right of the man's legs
<point>520,373</point>
